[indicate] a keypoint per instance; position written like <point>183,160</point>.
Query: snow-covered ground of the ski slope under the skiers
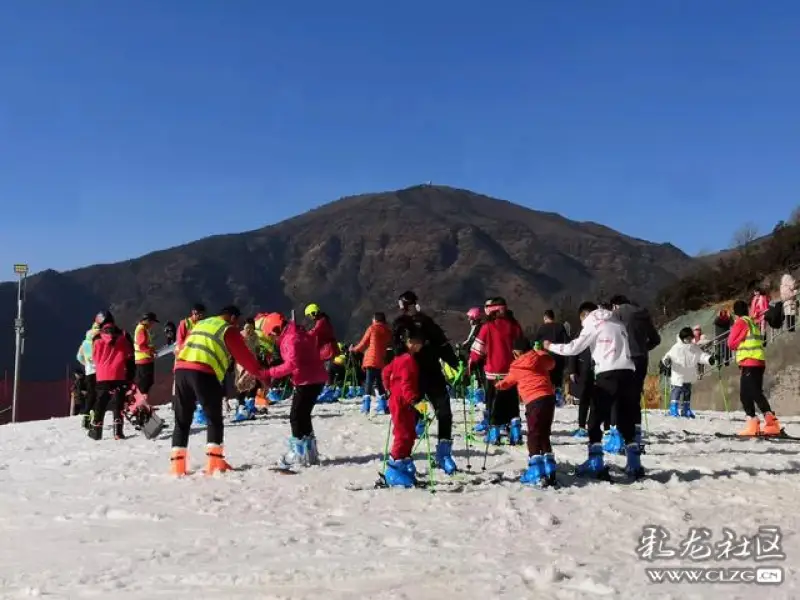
<point>80,519</point>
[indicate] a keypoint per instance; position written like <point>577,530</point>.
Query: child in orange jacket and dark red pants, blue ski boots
<point>530,374</point>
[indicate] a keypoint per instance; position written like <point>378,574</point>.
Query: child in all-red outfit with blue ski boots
<point>401,378</point>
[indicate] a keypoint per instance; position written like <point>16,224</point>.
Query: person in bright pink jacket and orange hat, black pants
<point>301,360</point>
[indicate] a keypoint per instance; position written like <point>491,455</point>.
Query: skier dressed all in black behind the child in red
<point>431,379</point>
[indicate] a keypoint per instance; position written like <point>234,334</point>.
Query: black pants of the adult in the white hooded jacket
<point>614,390</point>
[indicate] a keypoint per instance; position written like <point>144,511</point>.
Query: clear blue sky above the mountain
<point>128,126</point>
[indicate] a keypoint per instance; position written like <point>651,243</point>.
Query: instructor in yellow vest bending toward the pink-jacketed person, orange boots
<point>200,372</point>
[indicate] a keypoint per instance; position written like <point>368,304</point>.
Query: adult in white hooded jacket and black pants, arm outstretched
<point>607,338</point>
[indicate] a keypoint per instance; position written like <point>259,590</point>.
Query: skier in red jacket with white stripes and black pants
<point>493,348</point>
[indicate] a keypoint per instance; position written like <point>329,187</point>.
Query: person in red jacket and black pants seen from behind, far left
<point>111,351</point>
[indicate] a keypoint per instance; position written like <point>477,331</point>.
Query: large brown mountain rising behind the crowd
<point>453,247</point>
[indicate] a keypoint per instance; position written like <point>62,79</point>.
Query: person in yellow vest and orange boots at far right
<point>746,341</point>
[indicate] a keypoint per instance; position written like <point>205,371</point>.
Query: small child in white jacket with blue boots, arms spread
<point>682,360</point>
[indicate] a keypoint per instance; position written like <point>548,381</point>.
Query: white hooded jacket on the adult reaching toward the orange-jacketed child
<point>607,337</point>
